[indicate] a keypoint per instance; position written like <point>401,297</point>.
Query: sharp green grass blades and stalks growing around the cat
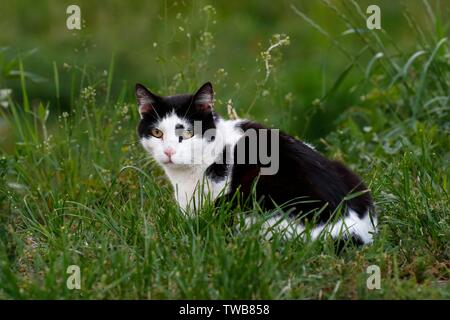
<point>77,189</point>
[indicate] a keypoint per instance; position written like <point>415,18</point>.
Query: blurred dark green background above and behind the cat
<point>175,46</point>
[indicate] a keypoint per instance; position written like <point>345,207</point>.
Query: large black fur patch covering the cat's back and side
<point>305,181</point>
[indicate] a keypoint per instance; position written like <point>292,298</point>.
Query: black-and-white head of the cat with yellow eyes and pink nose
<point>177,130</point>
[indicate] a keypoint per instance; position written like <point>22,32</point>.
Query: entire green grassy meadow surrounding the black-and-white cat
<point>76,188</point>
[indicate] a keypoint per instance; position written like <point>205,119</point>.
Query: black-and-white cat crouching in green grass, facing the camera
<point>199,152</point>
